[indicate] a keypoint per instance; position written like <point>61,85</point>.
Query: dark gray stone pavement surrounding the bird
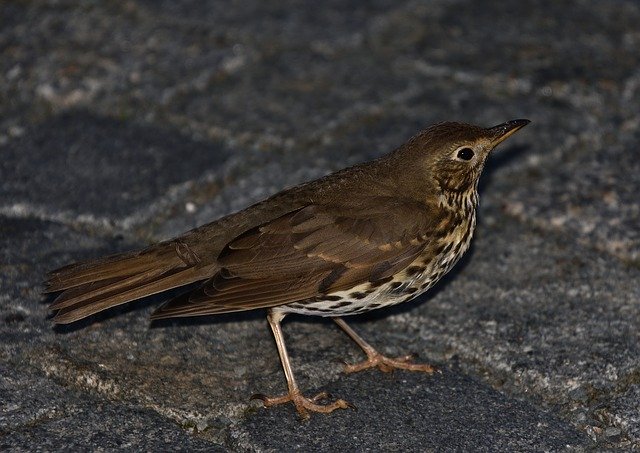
<point>126,122</point>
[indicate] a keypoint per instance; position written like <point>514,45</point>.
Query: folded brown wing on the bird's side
<point>310,252</point>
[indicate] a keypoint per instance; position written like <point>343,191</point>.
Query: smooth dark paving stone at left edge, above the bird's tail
<point>98,168</point>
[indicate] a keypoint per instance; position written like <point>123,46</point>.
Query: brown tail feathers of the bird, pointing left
<point>92,286</point>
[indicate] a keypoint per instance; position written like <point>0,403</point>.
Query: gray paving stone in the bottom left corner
<point>38,415</point>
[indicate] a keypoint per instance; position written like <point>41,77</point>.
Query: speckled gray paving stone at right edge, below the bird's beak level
<point>587,186</point>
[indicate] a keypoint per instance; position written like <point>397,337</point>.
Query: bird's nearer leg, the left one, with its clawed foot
<point>303,405</point>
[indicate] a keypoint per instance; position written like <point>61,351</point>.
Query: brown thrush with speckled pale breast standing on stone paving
<point>367,237</point>
